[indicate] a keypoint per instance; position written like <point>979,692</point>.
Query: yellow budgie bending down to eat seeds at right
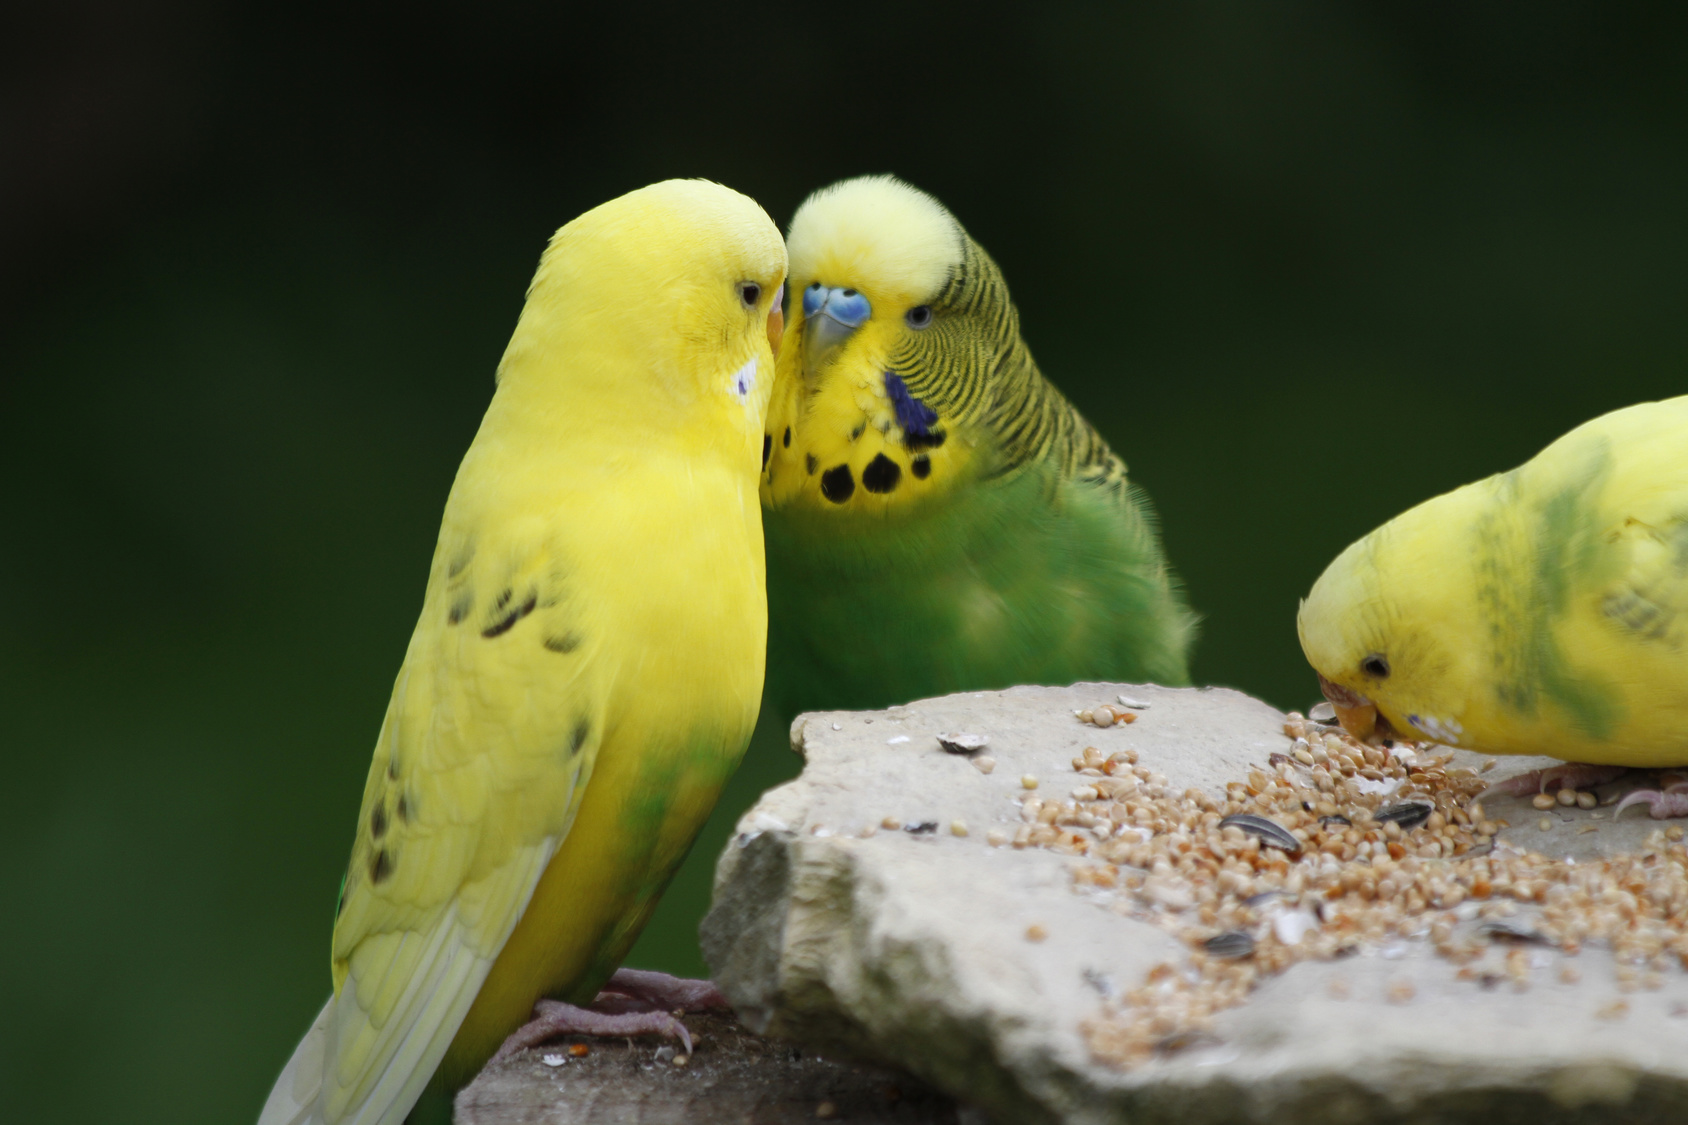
<point>1542,611</point>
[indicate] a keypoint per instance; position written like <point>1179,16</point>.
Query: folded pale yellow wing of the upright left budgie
<point>487,749</point>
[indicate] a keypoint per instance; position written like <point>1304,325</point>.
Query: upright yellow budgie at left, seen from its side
<point>588,665</point>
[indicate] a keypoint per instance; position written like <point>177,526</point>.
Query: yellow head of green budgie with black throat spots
<point>904,371</point>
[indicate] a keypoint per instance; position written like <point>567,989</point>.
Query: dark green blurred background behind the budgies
<point>1304,264</point>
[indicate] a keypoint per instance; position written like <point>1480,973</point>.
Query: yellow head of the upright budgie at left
<point>663,305</point>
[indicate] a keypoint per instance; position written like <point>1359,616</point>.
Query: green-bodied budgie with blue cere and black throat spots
<point>939,518</point>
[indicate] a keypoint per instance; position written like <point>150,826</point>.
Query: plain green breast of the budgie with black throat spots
<point>1010,584</point>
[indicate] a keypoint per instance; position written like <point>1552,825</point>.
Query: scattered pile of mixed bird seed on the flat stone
<point>1334,849</point>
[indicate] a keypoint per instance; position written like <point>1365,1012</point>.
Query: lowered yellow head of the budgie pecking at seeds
<point>1393,631</point>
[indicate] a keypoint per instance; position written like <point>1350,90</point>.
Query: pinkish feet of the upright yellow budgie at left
<point>636,1003</point>
